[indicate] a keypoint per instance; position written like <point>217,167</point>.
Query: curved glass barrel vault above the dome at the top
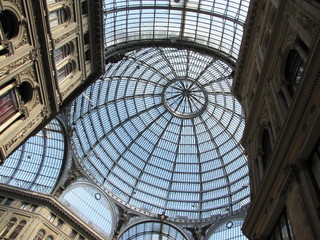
<point>216,24</point>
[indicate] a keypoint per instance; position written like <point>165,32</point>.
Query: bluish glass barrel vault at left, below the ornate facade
<point>36,165</point>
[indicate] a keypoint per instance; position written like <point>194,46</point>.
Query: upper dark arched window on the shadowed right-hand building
<point>294,69</point>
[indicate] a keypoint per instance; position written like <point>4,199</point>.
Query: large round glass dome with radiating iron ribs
<point>161,131</point>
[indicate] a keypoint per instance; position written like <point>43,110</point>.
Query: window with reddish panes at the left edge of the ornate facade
<point>8,105</point>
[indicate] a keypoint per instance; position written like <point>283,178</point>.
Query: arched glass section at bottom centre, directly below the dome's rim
<point>152,230</point>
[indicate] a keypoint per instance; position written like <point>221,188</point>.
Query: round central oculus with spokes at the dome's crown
<point>185,98</point>
